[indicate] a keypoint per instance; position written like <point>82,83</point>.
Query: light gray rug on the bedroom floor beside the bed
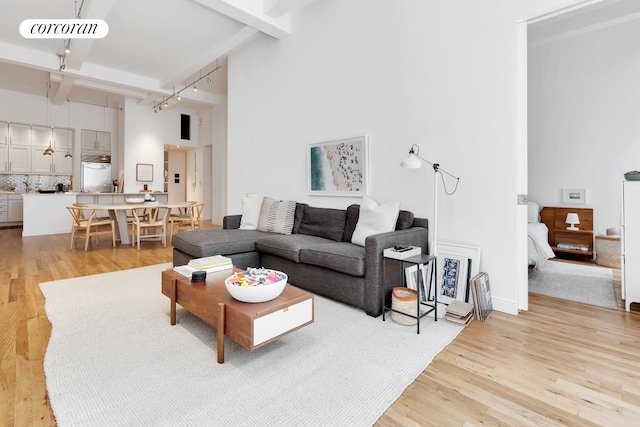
<point>575,282</point>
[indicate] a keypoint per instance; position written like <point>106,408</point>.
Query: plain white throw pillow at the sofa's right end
<point>374,219</point>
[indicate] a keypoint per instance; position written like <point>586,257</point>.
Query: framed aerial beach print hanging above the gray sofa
<point>338,167</point>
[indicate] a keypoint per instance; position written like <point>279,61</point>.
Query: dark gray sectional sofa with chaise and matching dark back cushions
<point>318,255</point>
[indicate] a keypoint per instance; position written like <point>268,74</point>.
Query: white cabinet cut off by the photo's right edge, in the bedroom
<point>630,243</point>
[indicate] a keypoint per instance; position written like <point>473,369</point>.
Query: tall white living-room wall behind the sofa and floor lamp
<point>438,74</point>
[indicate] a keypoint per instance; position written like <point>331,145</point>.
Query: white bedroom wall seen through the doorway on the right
<point>583,118</point>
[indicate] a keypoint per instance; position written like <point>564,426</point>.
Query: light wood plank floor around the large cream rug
<point>559,363</point>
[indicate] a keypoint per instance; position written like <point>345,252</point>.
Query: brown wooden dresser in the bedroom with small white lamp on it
<point>569,243</point>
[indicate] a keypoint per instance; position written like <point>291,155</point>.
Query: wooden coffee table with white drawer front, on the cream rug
<point>252,325</point>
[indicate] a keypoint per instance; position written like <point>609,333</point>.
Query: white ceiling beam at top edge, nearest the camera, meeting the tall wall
<point>237,10</point>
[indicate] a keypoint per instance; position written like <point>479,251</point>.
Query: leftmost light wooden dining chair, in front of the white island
<point>87,225</point>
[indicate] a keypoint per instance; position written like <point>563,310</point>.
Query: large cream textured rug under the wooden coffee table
<point>114,359</point>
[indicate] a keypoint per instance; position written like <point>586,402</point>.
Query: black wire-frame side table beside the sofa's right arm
<point>417,260</point>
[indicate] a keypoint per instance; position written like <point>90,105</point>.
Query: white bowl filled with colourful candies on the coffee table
<point>256,284</point>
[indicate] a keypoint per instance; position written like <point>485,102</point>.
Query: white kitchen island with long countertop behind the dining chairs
<point>45,214</point>
